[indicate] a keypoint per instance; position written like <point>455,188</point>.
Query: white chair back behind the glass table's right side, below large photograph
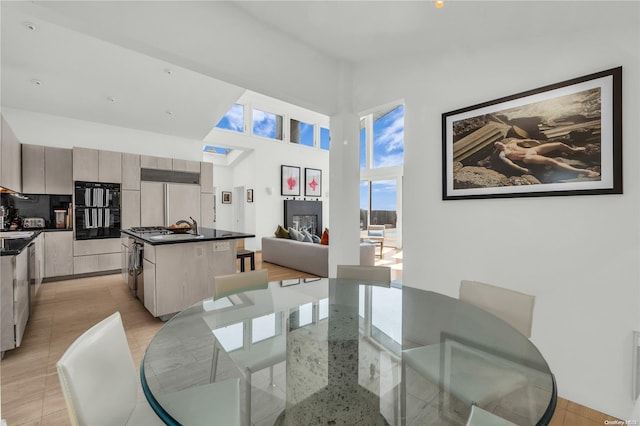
<point>511,306</point>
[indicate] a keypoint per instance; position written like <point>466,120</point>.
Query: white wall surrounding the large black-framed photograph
<point>578,255</point>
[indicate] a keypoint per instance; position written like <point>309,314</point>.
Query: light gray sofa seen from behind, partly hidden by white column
<point>306,257</point>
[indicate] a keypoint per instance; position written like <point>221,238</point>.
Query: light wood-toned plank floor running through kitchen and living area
<point>63,310</point>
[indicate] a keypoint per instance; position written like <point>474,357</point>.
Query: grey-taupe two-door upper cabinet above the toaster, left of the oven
<point>46,170</point>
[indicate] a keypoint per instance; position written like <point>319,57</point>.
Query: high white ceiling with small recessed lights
<point>147,65</point>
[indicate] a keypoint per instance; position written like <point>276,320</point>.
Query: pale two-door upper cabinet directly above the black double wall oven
<point>92,165</point>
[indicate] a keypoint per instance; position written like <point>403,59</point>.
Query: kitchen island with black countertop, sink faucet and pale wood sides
<point>175,270</point>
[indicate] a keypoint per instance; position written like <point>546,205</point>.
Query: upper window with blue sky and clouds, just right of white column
<point>388,138</point>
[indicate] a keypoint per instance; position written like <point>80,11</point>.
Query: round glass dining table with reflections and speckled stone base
<point>344,352</point>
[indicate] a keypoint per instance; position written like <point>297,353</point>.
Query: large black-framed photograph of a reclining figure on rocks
<point>561,139</point>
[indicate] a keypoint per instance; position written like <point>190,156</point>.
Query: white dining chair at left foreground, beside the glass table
<point>99,380</point>
